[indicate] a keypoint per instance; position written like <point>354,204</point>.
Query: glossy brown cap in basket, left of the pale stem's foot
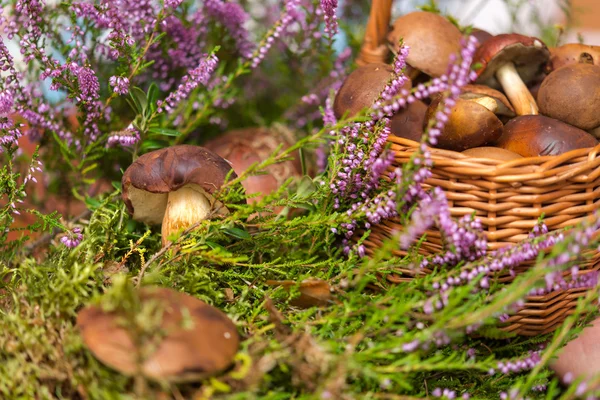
<point>470,124</point>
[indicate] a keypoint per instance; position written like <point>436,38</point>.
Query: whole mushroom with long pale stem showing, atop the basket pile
<point>511,61</point>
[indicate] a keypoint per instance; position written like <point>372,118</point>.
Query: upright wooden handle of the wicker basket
<point>374,48</point>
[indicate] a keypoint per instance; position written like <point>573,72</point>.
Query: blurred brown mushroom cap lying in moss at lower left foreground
<point>199,340</point>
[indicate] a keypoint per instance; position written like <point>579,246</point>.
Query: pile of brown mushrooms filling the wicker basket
<point>528,100</point>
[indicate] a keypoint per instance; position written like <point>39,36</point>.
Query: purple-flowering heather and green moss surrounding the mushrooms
<point>96,84</point>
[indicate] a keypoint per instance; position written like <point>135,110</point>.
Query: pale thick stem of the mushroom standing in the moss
<point>185,207</point>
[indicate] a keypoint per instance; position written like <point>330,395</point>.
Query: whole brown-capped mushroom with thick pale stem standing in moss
<point>175,186</point>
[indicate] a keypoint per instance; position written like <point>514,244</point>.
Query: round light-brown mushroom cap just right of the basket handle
<point>432,40</point>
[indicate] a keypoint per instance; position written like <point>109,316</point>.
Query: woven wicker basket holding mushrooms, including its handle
<point>507,196</point>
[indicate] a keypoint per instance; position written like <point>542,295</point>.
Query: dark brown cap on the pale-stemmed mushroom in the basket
<point>528,54</point>
